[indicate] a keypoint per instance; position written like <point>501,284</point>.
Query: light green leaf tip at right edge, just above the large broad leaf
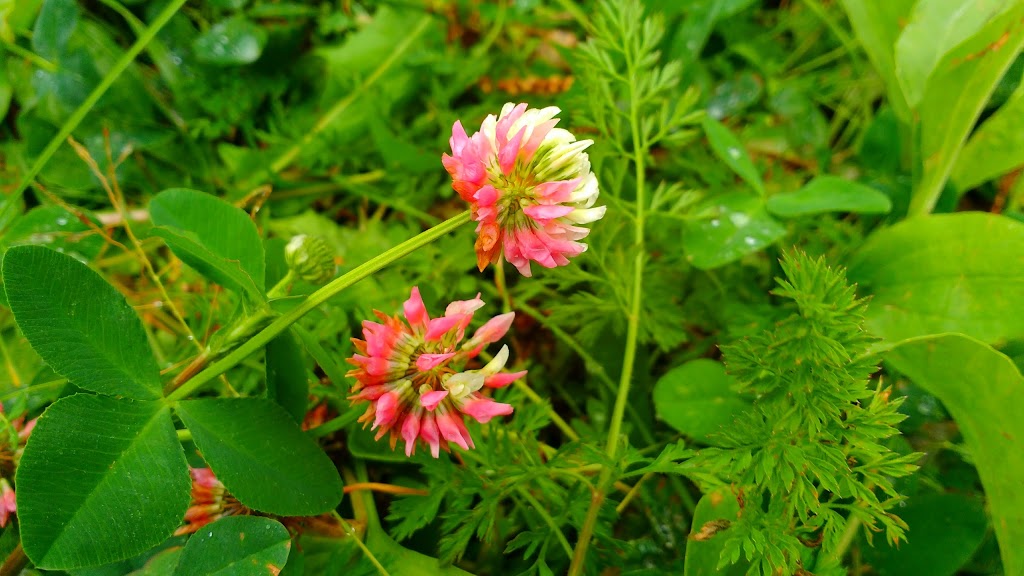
<point>995,149</point>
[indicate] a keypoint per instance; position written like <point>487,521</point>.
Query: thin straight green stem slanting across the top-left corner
<point>76,118</point>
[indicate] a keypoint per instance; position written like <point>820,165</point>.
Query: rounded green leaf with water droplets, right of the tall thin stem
<point>733,226</point>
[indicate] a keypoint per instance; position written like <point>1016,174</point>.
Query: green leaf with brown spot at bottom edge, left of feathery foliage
<point>703,557</point>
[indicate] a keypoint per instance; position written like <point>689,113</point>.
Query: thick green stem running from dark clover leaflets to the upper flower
<point>317,299</point>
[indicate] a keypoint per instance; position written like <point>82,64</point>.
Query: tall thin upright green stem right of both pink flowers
<point>632,331</point>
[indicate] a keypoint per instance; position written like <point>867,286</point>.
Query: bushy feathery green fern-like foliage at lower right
<point>809,458</point>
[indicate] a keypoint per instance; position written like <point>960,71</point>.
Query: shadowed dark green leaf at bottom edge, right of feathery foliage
<point>946,531</point>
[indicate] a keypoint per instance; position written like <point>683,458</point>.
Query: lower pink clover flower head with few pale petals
<point>410,372</point>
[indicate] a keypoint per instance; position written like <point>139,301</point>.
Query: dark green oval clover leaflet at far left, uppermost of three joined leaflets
<point>80,325</point>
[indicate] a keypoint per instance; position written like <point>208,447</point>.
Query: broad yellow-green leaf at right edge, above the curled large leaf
<point>945,273</point>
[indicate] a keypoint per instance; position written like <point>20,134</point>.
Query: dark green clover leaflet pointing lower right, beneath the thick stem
<point>262,456</point>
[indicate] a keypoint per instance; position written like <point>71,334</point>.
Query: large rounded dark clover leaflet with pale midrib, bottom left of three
<point>102,480</point>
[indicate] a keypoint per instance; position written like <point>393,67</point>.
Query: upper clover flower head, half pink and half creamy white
<point>529,185</point>
